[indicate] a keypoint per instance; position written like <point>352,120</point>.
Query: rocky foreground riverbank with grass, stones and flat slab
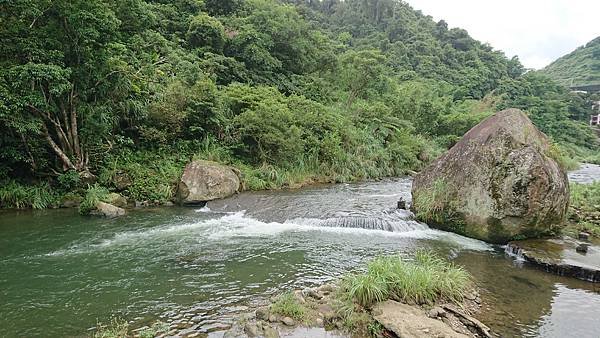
<point>395,297</point>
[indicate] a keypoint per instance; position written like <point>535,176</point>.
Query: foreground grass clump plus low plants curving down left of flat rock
<point>427,279</point>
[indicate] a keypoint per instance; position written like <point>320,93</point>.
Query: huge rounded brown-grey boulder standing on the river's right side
<point>499,182</point>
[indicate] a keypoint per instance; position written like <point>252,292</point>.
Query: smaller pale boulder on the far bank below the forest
<point>205,181</point>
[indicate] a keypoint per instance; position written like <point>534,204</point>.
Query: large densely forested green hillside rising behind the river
<point>100,92</point>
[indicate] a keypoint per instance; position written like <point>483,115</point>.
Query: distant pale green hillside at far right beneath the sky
<point>578,68</point>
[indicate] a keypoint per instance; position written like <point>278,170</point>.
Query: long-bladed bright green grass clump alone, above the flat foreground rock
<point>424,280</point>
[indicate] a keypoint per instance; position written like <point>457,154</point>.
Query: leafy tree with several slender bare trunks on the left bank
<point>57,63</point>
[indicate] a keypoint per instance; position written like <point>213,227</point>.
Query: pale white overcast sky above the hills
<point>537,31</point>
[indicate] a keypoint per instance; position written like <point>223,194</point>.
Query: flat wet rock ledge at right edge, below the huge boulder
<point>564,257</point>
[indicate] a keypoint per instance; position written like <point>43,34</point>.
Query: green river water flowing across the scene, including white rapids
<point>60,273</point>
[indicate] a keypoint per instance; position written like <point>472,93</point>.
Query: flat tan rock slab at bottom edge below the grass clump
<point>409,321</point>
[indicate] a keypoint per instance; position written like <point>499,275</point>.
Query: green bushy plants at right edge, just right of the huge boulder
<point>584,211</point>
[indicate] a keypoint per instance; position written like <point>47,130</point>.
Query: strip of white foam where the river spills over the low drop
<point>239,225</point>
